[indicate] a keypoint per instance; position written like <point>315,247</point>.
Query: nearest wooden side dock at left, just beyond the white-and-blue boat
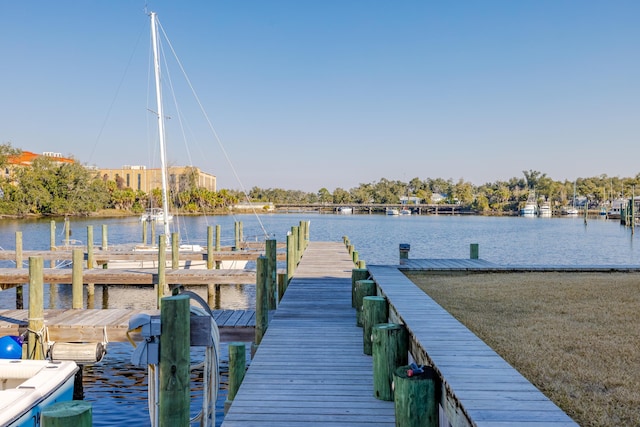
<point>87,325</point>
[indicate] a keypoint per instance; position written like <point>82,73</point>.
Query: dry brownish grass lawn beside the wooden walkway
<point>575,336</point>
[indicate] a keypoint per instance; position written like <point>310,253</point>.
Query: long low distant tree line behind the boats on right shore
<point>496,197</point>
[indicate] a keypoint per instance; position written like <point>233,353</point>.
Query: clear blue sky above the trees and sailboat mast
<point>307,94</point>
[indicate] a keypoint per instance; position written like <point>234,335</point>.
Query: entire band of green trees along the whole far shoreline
<point>50,188</point>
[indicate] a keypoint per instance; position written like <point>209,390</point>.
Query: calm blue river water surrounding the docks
<point>118,390</point>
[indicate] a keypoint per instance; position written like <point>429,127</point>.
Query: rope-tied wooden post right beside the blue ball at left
<point>36,308</point>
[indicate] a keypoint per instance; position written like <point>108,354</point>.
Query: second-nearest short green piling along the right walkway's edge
<point>390,350</point>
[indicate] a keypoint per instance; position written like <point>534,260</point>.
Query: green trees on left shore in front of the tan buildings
<point>47,187</point>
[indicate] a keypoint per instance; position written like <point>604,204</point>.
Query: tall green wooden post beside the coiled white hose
<point>175,359</point>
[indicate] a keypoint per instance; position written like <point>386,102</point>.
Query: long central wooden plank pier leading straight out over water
<point>310,368</point>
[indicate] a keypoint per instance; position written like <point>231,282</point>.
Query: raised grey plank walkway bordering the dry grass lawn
<point>479,387</point>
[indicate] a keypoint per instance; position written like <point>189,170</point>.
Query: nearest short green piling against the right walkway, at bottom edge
<point>415,397</point>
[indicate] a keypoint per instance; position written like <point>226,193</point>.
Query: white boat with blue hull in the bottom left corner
<point>29,386</point>
